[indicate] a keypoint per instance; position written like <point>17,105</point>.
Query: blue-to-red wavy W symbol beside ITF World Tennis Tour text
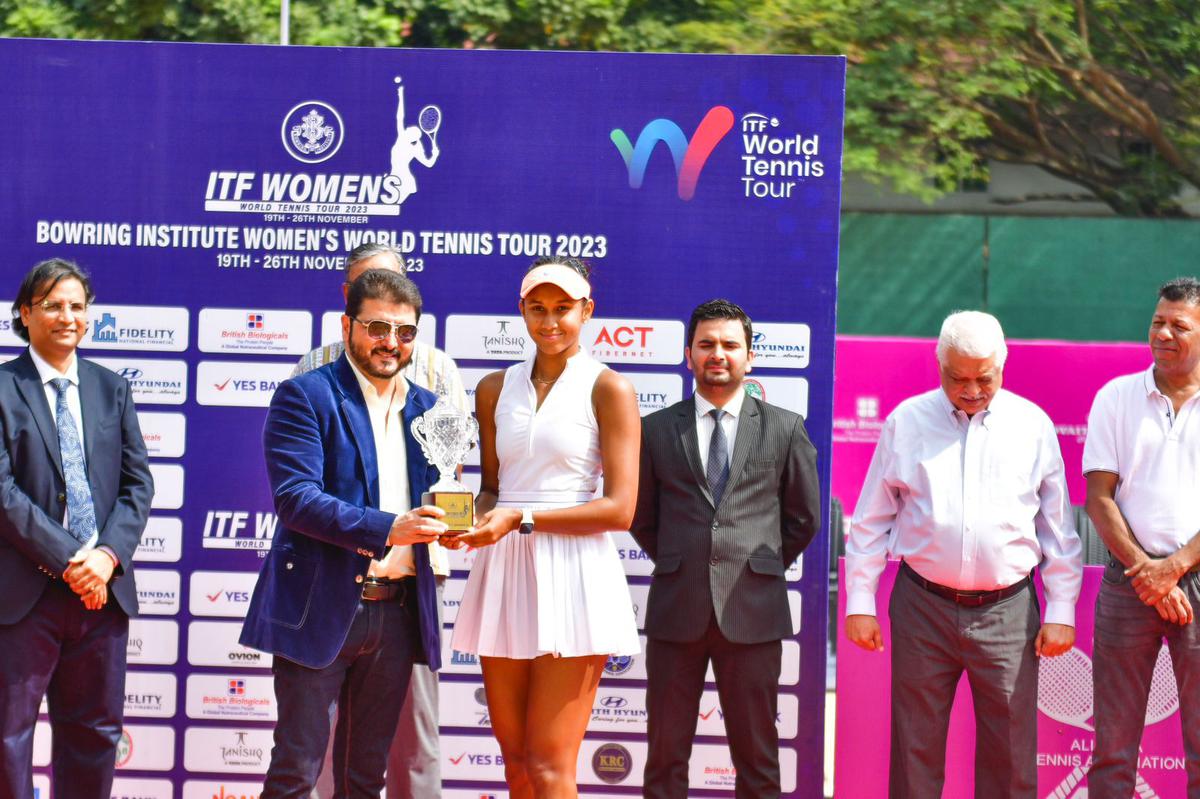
<point>689,155</point>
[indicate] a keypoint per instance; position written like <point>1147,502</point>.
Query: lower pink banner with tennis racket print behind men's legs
<point>1065,718</point>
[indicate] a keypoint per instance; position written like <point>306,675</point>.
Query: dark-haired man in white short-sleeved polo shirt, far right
<point>1143,466</point>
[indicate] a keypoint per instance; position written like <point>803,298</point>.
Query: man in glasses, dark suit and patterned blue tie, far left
<point>75,494</point>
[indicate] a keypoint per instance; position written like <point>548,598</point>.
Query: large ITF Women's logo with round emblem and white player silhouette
<point>313,134</point>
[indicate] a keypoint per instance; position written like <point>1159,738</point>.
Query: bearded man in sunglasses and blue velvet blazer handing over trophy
<point>347,600</point>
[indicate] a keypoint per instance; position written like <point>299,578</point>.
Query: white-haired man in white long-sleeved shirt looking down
<point>967,486</point>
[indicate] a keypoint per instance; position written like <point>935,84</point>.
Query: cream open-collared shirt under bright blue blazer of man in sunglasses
<point>388,429</point>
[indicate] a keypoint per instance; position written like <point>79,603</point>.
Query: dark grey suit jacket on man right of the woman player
<point>725,560</point>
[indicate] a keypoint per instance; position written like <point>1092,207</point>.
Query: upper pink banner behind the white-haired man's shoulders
<point>873,376</point>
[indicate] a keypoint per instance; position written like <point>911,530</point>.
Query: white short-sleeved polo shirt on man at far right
<point>1135,434</point>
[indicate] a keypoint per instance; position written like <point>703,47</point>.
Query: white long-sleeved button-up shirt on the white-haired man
<point>971,503</point>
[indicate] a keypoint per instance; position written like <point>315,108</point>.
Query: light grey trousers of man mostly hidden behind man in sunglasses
<point>415,762</point>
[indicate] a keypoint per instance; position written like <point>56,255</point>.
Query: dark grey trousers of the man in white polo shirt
<point>1129,636</point>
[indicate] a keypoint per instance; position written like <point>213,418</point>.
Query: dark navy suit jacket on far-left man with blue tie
<point>34,545</point>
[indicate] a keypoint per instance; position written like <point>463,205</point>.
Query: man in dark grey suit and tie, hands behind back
<point>728,500</point>
